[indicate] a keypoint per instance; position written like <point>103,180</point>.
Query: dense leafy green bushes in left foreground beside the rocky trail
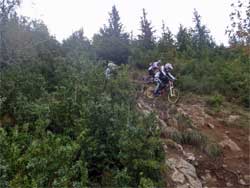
<point>80,133</point>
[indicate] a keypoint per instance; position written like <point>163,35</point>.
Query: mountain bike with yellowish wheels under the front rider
<point>173,93</point>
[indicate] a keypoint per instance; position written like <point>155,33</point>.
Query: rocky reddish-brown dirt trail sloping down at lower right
<point>204,147</point>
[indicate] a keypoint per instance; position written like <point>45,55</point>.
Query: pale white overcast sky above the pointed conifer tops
<point>65,16</point>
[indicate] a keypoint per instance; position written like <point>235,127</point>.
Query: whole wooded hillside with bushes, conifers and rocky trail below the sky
<point>68,119</point>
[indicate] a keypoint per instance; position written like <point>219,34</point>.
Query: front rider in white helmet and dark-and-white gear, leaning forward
<point>162,77</point>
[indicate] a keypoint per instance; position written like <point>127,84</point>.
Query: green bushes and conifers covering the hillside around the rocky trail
<point>63,124</point>
